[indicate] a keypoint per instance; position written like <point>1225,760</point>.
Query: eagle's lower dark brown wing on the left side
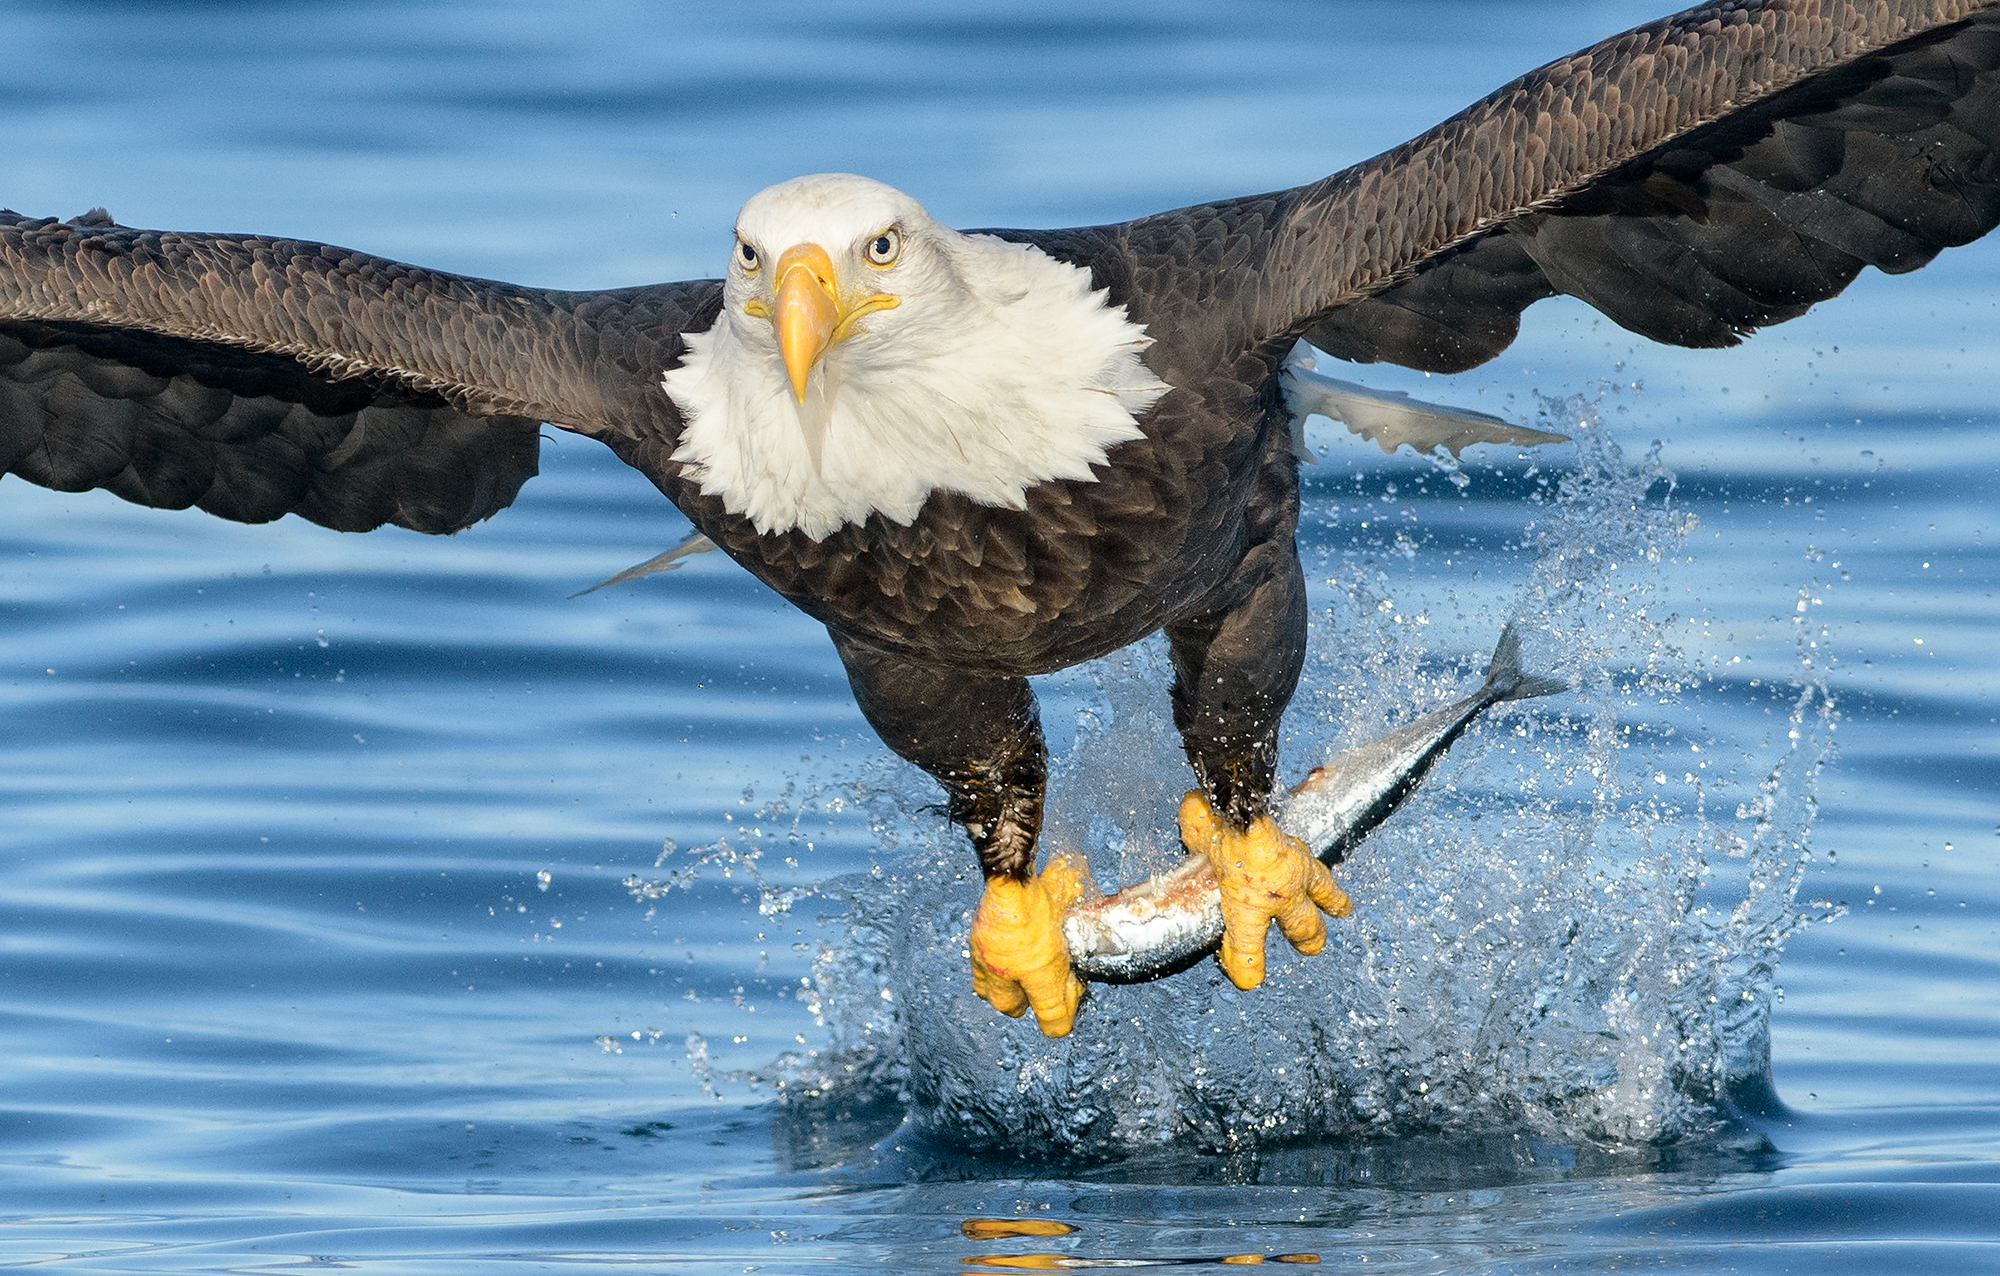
<point>259,377</point>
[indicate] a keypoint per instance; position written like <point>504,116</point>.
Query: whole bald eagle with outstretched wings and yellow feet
<point>979,457</point>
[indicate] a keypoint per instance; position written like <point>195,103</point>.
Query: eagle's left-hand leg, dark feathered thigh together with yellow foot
<point>983,741</point>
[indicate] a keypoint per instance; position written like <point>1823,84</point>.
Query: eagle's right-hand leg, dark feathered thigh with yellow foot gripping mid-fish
<point>1235,669</point>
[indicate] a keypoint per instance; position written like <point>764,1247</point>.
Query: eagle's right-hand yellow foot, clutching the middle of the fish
<point>1267,877</point>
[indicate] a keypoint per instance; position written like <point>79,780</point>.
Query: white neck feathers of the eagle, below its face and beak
<point>1005,371</point>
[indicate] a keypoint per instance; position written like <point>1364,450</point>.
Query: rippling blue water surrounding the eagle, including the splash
<point>337,923</point>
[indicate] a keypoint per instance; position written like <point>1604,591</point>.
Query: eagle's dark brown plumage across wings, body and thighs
<point>1693,179</point>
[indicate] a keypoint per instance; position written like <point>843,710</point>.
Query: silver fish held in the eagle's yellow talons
<point>1175,919</point>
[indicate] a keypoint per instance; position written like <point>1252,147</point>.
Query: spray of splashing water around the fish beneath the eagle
<point>1543,939</point>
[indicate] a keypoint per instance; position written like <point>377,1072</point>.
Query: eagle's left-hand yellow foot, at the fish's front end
<point>1019,957</point>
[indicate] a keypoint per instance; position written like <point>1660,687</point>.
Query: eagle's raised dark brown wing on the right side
<point>1693,179</point>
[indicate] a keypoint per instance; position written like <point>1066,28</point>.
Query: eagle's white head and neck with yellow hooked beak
<point>869,357</point>
